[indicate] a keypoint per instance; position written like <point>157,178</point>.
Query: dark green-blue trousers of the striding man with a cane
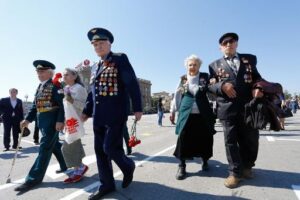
<point>49,144</point>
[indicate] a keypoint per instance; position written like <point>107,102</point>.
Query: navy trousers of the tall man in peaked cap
<point>109,146</point>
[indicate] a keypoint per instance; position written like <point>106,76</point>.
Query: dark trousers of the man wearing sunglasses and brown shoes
<point>241,145</point>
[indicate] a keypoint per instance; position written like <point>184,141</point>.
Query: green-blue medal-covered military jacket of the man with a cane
<point>47,106</point>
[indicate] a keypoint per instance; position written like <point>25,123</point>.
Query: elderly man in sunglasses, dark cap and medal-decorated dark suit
<point>232,77</point>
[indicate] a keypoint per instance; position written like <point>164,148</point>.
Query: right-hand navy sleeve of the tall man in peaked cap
<point>130,81</point>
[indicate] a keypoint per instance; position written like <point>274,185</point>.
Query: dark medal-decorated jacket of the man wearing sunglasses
<point>228,108</point>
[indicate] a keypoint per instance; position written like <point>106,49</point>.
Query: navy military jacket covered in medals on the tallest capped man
<point>113,83</point>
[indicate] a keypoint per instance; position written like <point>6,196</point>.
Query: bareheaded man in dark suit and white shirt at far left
<point>11,110</point>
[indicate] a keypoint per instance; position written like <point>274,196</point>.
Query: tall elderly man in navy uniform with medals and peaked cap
<point>107,102</point>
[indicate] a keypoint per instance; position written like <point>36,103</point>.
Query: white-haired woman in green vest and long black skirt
<point>195,123</point>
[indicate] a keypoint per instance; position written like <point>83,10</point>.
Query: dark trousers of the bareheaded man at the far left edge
<point>14,125</point>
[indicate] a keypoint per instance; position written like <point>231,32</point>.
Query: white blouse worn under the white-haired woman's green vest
<point>192,86</point>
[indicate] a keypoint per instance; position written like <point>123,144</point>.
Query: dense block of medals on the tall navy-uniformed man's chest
<point>108,84</point>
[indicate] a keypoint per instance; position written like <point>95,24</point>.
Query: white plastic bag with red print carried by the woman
<point>74,126</point>
